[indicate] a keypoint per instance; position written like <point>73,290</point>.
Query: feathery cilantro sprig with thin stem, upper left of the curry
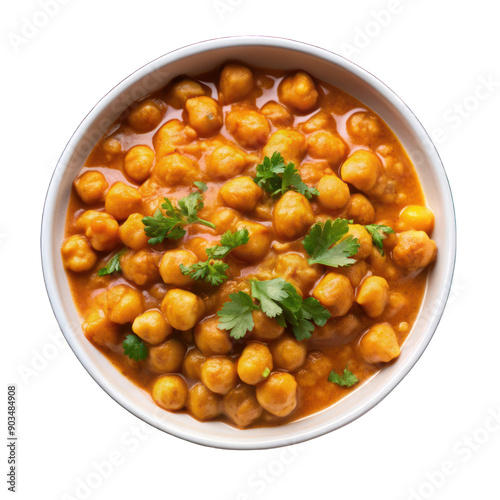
<point>171,225</point>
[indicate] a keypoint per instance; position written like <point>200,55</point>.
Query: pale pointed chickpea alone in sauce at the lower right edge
<point>379,344</point>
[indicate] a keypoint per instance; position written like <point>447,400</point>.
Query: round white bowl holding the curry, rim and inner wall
<point>270,53</point>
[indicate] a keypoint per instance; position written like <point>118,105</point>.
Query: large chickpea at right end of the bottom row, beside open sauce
<point>278,394</point>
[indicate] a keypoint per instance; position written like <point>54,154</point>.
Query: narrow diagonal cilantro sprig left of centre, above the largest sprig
<point>213,270</point>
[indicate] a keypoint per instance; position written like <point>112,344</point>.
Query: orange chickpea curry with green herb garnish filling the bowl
<point>248,246</point>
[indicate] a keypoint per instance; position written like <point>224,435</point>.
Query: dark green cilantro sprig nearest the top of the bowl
<point>277,177</point>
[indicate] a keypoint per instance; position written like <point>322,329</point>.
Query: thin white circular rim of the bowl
<point>205,46</point>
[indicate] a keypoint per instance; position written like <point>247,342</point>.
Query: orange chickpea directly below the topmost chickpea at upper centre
<point>249,128</point>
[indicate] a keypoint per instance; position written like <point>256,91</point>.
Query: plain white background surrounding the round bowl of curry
<point>436,55</point>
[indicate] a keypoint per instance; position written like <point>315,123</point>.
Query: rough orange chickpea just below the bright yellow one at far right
<point>414,250</point>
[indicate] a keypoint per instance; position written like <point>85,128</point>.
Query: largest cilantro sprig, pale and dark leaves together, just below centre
<point>276,299</point>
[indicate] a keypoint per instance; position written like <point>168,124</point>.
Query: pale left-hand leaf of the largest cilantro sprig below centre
<point>236,315</point>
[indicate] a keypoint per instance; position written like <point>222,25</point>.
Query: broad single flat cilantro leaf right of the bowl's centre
<point>328,244</point>
